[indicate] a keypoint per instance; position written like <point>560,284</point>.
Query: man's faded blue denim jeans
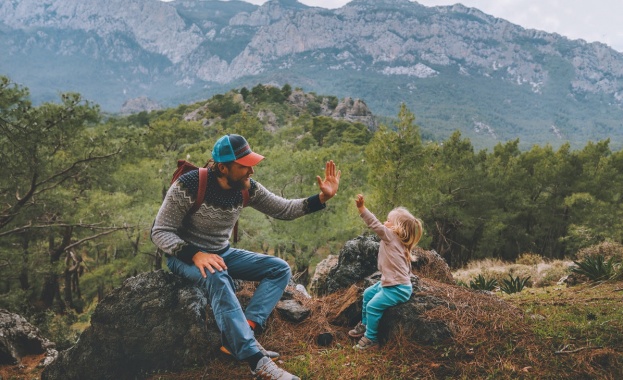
<point>273,274</point>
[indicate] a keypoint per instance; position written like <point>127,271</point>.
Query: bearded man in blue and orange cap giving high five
<point>197,246</point>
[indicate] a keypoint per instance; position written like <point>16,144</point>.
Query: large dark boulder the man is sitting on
<point>154,321</point>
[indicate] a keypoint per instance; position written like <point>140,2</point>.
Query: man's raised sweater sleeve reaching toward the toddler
<point>280,208</point>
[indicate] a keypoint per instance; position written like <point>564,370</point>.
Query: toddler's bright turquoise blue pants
<point>376,299</point>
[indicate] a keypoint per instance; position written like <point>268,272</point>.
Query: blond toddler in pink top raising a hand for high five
<point>399,234</point>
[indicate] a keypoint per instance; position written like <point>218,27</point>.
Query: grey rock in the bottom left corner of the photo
<point>18,339</point>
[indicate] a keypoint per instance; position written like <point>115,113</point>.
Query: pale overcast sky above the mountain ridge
<point>590,20</point>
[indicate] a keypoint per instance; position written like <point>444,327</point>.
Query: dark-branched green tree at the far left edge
<point>50,158</point>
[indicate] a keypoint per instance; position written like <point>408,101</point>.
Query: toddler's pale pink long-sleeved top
<point>392,262</point>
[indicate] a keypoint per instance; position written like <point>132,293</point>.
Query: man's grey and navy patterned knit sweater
<point>210,228</point>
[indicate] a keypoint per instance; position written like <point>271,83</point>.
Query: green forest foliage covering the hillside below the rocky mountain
<point>79,190</point>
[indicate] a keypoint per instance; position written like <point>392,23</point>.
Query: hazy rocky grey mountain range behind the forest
<point>454,67</point>
